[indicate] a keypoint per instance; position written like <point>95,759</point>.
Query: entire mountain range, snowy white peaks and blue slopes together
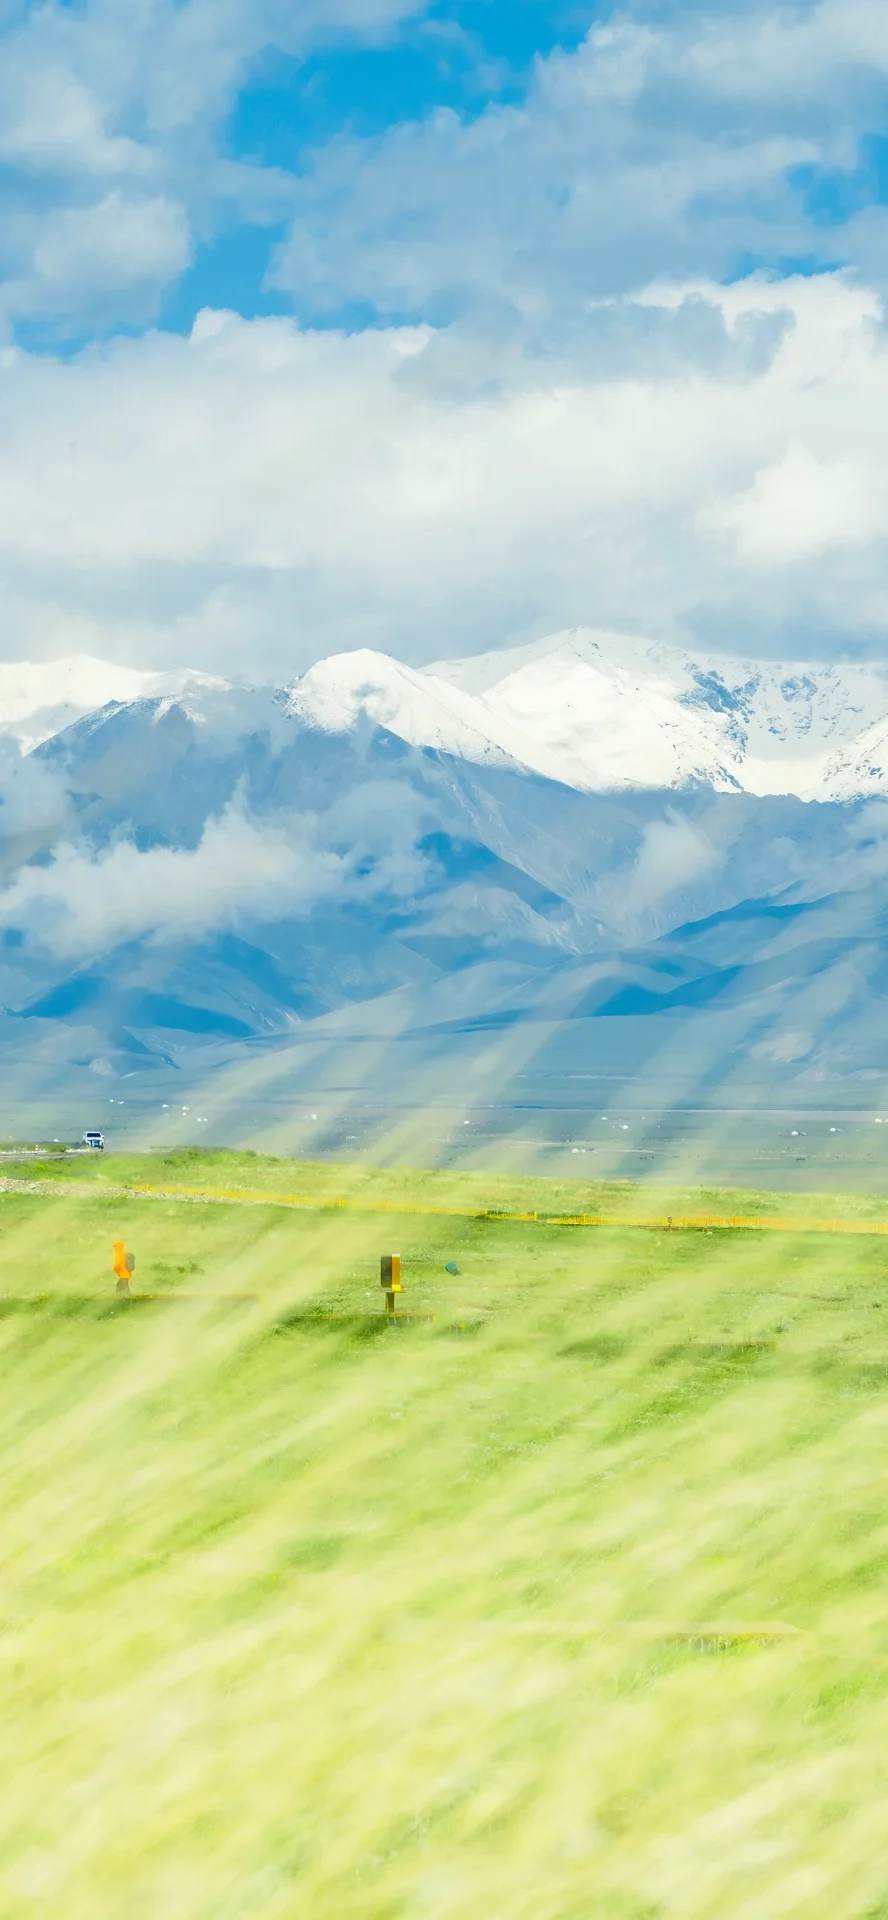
<point>594,867</point>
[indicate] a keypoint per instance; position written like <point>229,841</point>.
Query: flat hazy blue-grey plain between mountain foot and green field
<point>816,1149</point>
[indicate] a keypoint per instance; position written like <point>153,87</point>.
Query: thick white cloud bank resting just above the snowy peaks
<point>258,496</point>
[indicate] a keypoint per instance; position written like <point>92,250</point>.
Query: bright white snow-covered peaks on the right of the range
<point>605,713</point>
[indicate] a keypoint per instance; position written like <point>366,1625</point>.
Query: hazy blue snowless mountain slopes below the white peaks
<point>222,888</point>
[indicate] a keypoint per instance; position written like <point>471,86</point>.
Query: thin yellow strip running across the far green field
<point>661,1222</point>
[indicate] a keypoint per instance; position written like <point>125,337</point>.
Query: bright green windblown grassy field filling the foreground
<point>492,1616</point>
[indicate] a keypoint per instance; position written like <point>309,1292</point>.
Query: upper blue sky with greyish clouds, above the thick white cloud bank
<point>239,126</point>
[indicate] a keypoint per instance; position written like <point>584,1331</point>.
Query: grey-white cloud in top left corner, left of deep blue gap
<point>110,120</point>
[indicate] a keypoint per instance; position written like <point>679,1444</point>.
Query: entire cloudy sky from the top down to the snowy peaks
<point>475,256</point>
